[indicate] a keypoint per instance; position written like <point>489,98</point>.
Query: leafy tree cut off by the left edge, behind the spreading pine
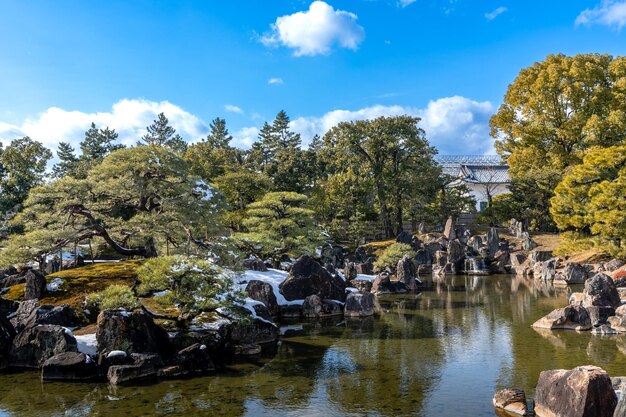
<point>23,165</point>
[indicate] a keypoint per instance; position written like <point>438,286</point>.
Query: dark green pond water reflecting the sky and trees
<point>439,353</point>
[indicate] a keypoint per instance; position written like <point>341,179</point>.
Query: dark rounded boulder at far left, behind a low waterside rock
<point>35,345</point>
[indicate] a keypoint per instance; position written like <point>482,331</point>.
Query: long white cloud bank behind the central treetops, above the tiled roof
<point>455,125</point>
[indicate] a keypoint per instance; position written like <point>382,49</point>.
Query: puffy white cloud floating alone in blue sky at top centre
<point>316,31</point>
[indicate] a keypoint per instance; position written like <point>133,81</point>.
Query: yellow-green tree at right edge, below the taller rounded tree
<point>589,203</point>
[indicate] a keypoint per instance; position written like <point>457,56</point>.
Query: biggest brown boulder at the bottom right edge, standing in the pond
<point>585,391</point>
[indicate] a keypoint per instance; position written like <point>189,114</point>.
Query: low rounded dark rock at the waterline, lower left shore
<point>69,366</point>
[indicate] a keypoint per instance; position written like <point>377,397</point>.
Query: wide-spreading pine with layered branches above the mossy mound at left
<point>139,201</point>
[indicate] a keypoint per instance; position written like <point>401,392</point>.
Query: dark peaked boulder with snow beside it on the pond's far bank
<point>307,277</point>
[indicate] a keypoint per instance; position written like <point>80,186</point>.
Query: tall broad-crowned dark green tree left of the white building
<point>389,156</point>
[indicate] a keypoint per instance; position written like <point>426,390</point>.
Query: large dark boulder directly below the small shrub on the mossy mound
<point>133,332</point>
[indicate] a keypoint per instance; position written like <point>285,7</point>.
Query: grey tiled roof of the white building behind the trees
<point>477,169</point>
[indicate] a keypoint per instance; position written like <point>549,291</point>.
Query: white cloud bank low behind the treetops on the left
<point>129,118</point>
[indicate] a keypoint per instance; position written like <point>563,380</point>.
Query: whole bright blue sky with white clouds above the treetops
<point>64,64</point>
